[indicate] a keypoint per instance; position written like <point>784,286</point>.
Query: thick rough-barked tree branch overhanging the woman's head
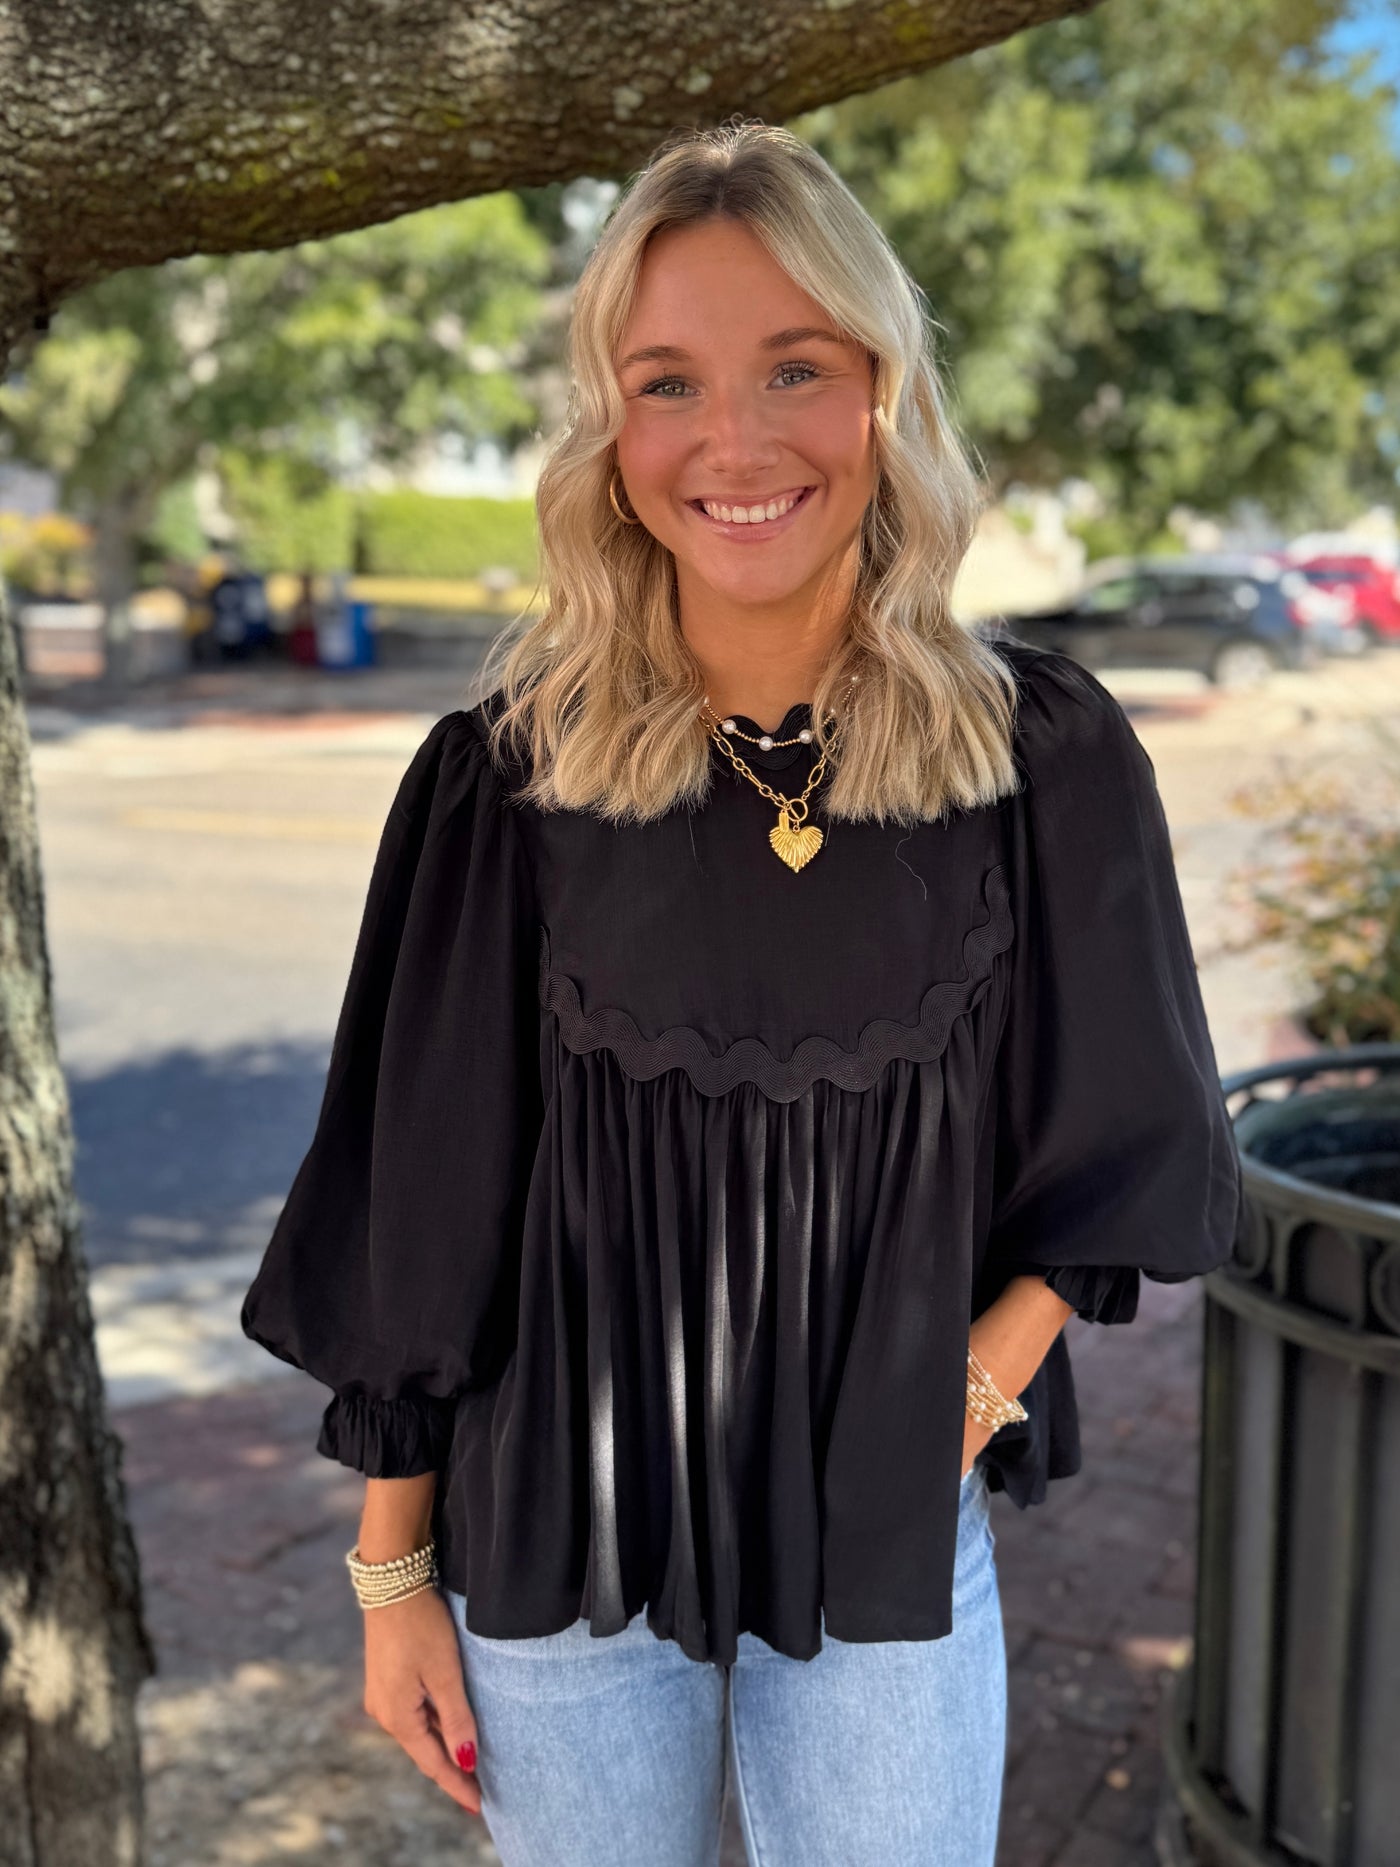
<point>135,135</point>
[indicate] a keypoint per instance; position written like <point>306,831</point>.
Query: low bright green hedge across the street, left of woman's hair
<point>288,524</point>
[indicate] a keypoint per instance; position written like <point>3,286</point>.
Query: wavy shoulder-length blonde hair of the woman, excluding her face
<point>602,694</point>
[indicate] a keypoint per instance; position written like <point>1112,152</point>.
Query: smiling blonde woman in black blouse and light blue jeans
<point>774,1017</point>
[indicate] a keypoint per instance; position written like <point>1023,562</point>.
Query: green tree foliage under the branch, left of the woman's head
<point>380,341</point>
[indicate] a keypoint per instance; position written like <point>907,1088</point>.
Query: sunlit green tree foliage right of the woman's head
<point>1162,246</point>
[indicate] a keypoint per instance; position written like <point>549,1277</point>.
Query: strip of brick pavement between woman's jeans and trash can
<point>1097,1597</point>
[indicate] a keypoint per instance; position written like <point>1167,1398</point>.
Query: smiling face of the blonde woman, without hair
<point>744,399</point>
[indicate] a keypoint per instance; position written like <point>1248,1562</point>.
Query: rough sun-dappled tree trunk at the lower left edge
<point>74,1644</point>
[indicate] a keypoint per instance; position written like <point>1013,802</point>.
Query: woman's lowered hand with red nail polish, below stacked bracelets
<point>413,1687</point>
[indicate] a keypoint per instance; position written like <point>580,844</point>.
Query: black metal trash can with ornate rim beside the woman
<point>1283,1735</point>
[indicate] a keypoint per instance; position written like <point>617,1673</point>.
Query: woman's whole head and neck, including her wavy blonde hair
<point>755,496</point>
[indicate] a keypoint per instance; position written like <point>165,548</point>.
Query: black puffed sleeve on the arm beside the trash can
<point>1115,1155</point>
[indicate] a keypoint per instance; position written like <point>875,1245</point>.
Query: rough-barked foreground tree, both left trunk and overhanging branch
<point>137,135</point>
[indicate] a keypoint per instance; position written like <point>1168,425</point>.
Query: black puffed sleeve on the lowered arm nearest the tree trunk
<point>393,1269</point>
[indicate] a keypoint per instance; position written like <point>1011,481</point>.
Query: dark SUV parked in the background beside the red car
<point>1231,619</point>
